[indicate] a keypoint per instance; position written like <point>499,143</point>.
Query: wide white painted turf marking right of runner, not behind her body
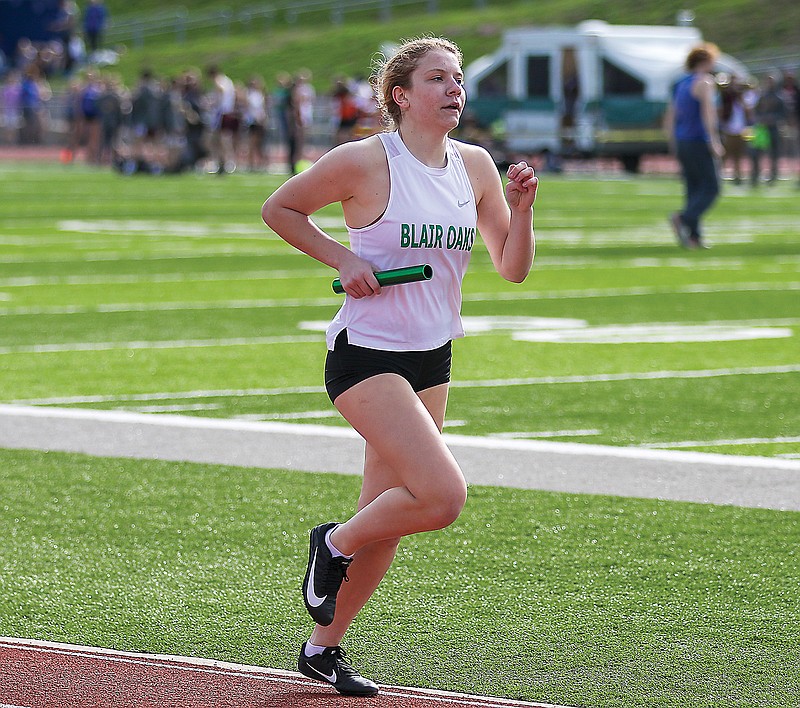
<point>642,334</point>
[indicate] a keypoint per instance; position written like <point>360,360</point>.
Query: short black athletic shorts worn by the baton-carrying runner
<point>349,364</point>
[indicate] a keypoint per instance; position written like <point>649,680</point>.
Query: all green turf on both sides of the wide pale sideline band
<point>168,295</point>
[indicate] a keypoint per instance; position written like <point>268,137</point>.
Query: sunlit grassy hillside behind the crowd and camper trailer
<point>313,41</point>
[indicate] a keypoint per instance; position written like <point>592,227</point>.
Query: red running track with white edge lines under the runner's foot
<point>37,674</point>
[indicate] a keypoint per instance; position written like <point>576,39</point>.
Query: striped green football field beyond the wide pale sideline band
<point>170,295</point>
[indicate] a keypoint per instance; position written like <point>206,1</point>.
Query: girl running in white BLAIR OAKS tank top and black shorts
<point>409,195</point>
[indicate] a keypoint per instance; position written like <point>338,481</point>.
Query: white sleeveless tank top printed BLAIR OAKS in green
<point>430,218</point>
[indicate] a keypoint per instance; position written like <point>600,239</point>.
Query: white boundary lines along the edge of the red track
<point>225,668</point>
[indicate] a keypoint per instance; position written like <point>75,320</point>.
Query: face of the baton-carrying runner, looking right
<point>437,89</point>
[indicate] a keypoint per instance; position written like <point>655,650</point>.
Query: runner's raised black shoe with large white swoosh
<point>324,576</point>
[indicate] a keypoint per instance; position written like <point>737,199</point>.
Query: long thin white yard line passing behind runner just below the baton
<point>474,297</point>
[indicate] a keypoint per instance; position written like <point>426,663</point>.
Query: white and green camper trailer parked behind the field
<point>593,89</point>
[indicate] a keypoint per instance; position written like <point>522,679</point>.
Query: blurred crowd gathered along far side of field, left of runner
<point>195,120</point>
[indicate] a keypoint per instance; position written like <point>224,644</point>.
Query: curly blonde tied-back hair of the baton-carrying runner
<point>397,70</point>
